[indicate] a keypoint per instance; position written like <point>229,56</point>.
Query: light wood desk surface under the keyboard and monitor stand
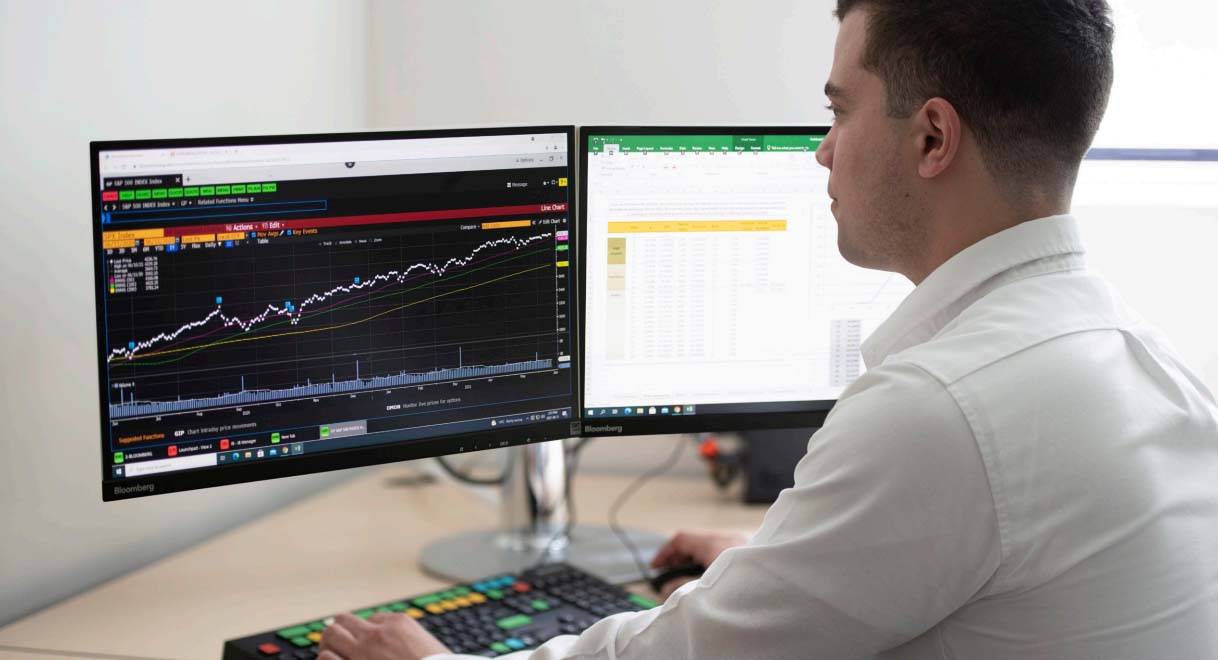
<point>345,549</point>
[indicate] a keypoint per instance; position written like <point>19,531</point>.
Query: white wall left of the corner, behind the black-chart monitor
<point>72,72</point>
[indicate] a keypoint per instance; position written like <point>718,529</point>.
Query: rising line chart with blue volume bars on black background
<point>342,314</point>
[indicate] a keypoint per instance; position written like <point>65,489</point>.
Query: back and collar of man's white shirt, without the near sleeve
<point>1102,451</point>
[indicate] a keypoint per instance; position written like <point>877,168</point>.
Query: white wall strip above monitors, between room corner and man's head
<point>588,61</point>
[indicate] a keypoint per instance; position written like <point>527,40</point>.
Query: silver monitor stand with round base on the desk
<point>533,529</point>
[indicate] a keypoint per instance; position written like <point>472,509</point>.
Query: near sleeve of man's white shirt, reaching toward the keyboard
<point>890,528</point>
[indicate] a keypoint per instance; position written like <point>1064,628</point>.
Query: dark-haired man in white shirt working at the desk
<point>1026,471</point>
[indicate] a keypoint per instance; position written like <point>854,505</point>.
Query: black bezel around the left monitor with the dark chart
<point>337,460</point>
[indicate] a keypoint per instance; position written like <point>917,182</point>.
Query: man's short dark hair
<point>1031,79</point>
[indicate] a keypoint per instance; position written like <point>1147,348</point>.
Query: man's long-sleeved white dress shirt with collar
<point>1026,471</point>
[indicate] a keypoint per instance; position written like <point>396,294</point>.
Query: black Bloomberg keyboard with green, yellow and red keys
<point>489,618</point>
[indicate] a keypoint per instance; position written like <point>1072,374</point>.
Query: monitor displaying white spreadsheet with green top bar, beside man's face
<point>716,297</point>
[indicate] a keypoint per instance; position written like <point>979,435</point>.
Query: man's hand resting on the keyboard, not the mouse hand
<point>382,637</point>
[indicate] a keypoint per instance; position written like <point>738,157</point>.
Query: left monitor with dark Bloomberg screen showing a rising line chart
<point>278,306</point>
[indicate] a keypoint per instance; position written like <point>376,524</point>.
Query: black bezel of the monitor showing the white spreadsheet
<point>813,413</point>
